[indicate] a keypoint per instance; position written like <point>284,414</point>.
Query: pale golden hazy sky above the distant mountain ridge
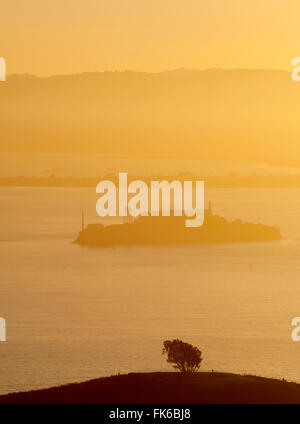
<point>68,36</point>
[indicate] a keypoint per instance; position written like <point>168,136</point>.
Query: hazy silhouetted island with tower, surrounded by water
<point>171,230</point>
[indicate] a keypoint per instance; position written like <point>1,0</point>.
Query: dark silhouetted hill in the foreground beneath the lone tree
<point>163,387</point>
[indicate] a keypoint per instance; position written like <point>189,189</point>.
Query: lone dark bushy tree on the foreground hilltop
<point>184,356</point>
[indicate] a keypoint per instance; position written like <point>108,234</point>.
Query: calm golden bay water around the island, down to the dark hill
<point>75,313</point>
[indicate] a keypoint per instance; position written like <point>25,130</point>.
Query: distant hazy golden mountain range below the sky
<point>236,115</point>
